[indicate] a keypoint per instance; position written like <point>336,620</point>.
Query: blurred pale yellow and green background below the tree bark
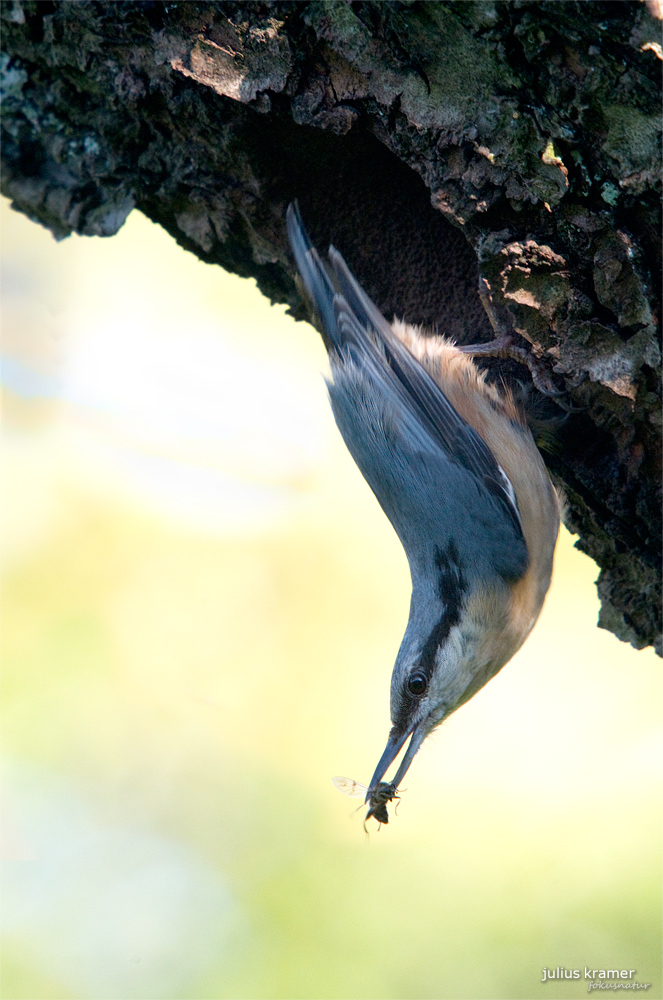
<point>201,607</point>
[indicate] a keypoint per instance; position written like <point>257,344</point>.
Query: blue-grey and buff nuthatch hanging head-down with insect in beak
<point>455,469</point>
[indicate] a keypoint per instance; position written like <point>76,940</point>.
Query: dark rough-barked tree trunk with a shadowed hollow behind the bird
<point>428,142</point>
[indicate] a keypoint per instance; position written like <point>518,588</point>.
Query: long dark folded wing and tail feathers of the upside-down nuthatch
<point>356,328</point>
